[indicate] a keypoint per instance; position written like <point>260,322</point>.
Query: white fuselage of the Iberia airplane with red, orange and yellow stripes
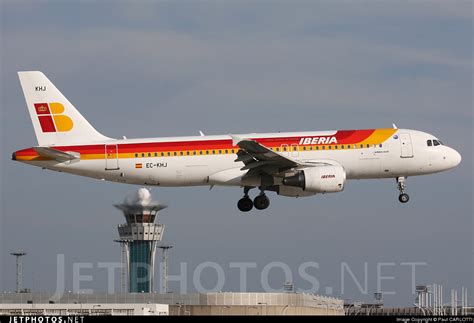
<point>215,165</point>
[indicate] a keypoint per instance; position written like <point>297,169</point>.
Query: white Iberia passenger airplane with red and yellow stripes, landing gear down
<point>293,164</point>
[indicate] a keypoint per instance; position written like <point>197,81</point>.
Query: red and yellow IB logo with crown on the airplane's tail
<point>51,117</point>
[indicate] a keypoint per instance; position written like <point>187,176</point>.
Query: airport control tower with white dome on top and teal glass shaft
<point>139,237</point>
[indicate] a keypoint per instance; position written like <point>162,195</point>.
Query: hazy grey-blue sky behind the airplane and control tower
<point>146,69</point>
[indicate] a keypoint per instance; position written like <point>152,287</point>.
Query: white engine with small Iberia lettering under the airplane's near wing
<point>324,179</point>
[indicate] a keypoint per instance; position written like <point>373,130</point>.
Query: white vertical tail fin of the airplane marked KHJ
<point>55,120</point>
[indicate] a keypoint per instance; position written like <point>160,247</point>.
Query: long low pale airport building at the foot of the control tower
<point>187,304</point>
